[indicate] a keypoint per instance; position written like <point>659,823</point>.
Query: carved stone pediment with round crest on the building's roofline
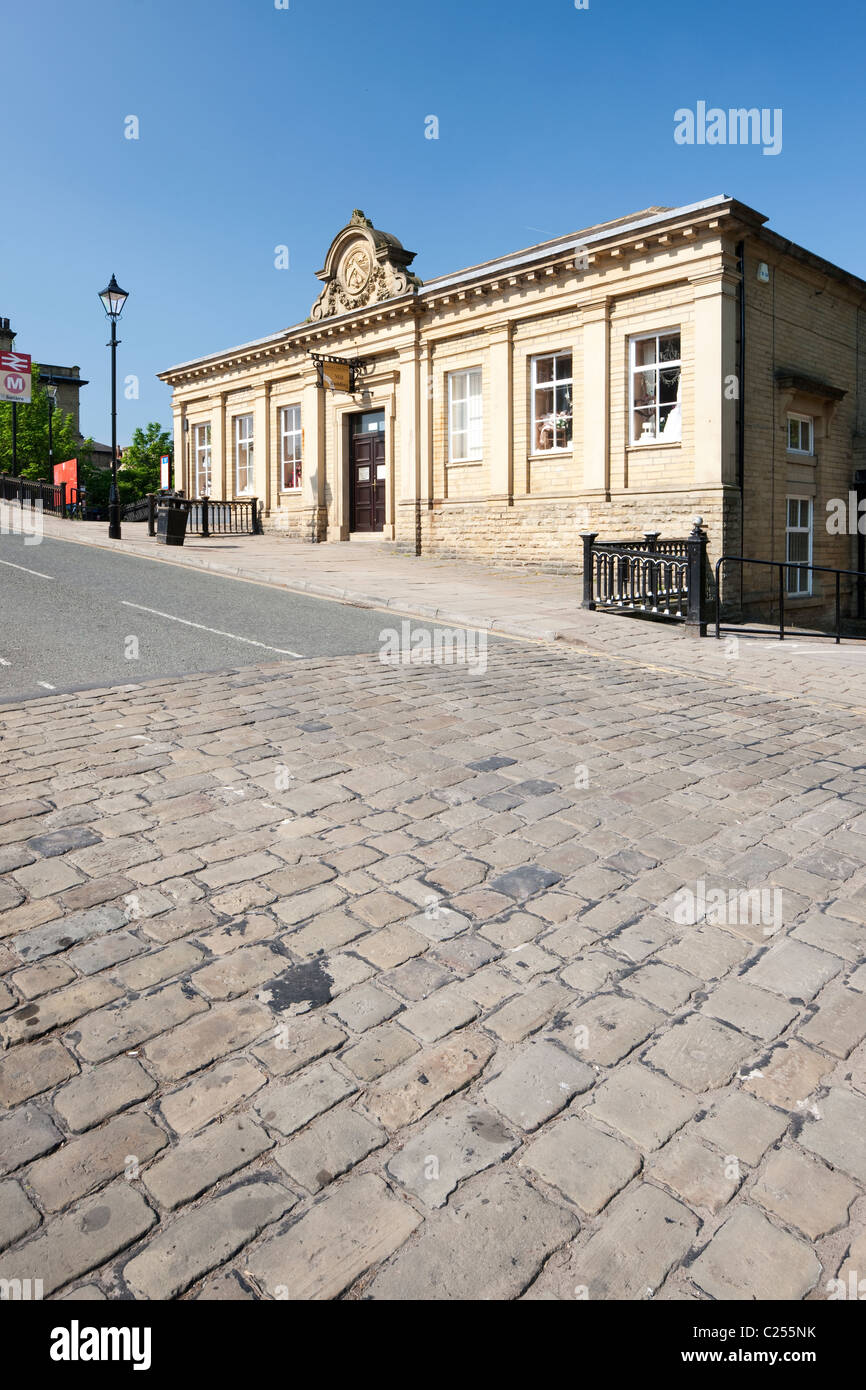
<point>363,268</point>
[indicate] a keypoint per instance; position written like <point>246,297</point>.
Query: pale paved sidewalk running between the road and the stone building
<point>511,603</point>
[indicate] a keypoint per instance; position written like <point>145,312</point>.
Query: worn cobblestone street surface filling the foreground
<point>332,979</point>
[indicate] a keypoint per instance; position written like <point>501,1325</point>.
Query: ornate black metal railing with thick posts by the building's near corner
<point>661,579</point>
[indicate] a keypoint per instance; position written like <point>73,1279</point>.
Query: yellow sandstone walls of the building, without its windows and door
<point>518,508</point>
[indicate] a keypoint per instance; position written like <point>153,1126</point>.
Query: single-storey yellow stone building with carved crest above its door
<point>622,380</point>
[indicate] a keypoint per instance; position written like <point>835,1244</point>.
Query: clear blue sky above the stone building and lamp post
<point>265,127</point>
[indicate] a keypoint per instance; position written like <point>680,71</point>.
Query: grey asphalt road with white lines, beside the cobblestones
<point>69,614</point>
